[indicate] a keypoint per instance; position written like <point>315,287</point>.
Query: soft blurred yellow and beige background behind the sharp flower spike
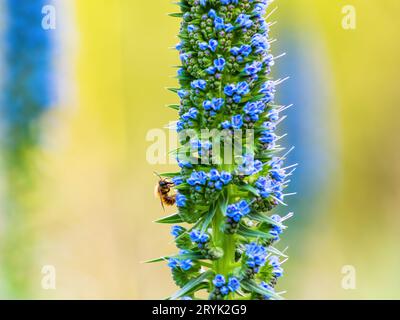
<point>90,210</point>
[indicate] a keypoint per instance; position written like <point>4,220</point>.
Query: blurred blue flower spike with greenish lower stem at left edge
<point>25,96</point>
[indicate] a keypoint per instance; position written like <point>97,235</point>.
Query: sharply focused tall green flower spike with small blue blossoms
<point>225,85</point>
